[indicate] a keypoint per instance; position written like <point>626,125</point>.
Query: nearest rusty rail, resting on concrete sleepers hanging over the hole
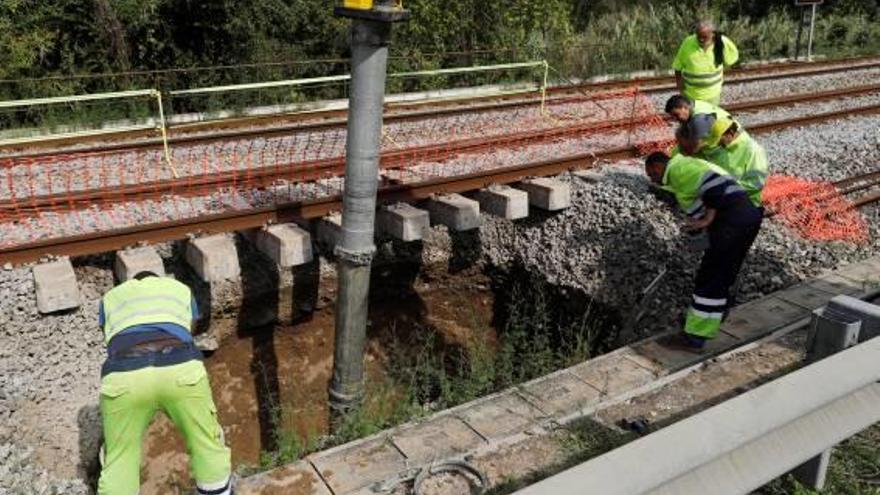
<point>311,209</point>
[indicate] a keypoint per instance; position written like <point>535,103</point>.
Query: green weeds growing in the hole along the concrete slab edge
<point>537,334</point>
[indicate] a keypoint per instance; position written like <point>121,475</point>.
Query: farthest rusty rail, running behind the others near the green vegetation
<point>245,127</point>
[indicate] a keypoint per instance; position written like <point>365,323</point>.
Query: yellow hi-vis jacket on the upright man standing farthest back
<point>702,78</point>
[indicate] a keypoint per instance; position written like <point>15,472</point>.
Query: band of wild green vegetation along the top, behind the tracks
<point>64,47</point>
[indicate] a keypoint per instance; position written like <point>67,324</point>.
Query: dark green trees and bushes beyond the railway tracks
<point>40,38</point>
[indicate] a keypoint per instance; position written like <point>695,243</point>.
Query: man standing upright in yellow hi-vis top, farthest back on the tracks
<point>700,61</point>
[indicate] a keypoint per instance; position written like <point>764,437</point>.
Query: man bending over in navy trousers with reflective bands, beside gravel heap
<point>712,200</point>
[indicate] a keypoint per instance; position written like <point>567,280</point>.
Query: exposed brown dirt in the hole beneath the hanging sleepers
<point>244,371</point>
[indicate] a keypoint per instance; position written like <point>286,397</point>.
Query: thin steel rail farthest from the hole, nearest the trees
<point>648,84</point>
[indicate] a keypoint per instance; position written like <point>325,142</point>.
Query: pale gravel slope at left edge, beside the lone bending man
<point>50,369</point>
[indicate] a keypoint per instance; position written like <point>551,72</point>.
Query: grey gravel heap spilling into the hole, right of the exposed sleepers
<point>610,244</point>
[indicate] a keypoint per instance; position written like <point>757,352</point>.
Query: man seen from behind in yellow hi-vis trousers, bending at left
<point>154,365</point>
